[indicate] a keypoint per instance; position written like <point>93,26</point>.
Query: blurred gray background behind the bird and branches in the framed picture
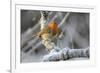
<point>75,29</point>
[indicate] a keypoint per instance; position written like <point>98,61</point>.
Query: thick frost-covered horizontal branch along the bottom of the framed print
<point>66,53</point>
